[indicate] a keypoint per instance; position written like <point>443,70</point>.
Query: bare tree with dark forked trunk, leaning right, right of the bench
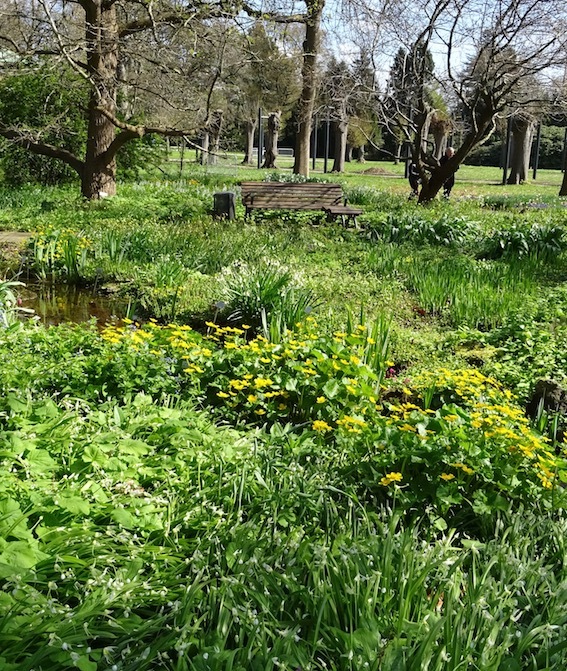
<point>512,42</point>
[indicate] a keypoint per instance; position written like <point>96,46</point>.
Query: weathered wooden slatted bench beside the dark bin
<point>303,196</point>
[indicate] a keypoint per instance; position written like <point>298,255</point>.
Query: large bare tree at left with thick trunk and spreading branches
<point>100,39</point>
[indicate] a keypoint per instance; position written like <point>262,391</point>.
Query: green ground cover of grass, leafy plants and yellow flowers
<point>303,446</point>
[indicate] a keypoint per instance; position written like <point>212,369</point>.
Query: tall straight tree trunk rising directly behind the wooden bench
<point>309,85</point>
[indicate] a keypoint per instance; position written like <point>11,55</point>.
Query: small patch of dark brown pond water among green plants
<point>57,304</point>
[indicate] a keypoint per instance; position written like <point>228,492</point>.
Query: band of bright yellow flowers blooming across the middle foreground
<point>258,385</point>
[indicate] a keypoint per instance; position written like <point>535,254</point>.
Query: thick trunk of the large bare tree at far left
<point>99,173</point>
